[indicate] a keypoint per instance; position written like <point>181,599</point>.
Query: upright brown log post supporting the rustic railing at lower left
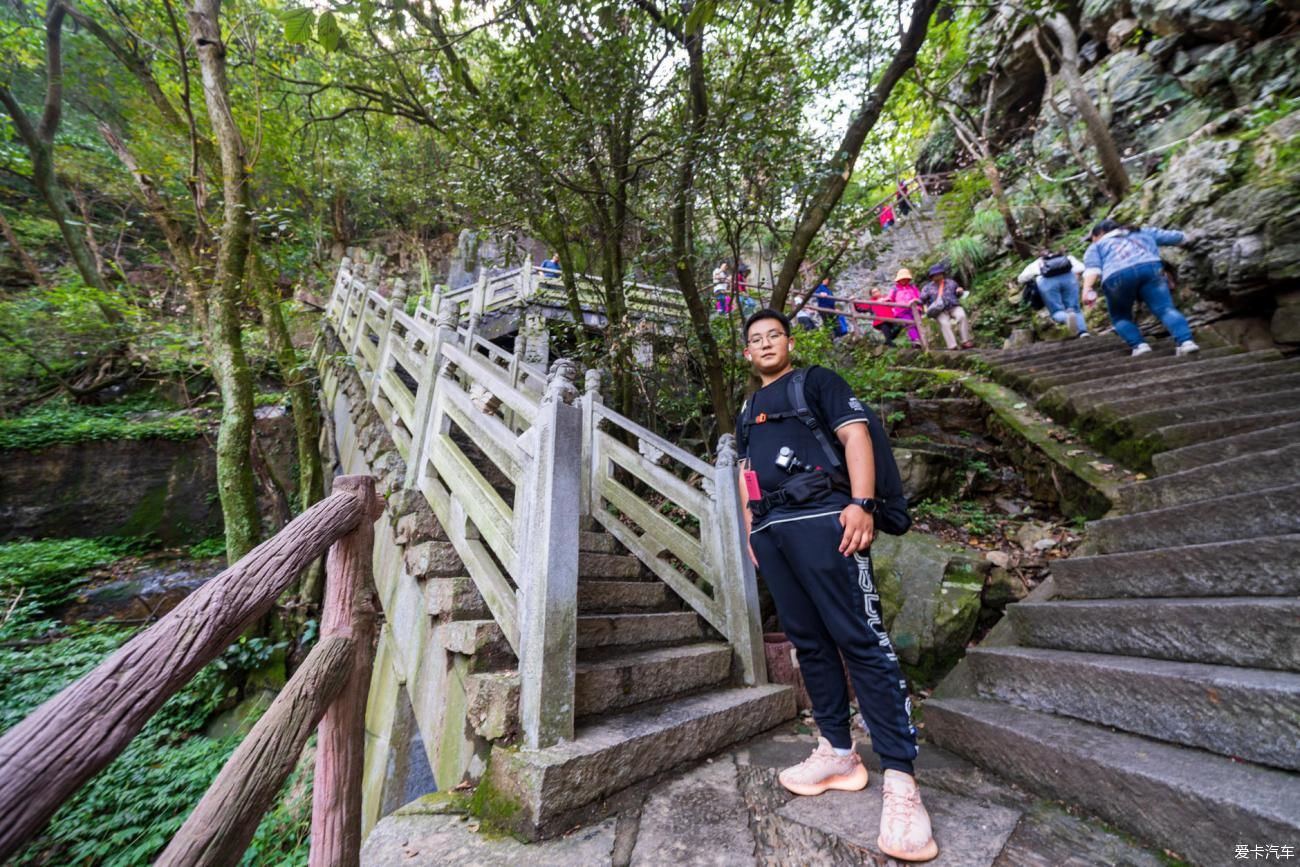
<point>349,613</point>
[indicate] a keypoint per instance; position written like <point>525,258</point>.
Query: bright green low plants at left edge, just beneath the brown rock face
<point>49,571</point>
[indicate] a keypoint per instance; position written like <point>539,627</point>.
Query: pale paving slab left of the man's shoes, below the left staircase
<point>696,821</point>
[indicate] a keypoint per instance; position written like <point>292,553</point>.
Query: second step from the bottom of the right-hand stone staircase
<point>1242,713</point>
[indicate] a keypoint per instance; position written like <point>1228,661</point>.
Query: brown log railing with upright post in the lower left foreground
<point>75,735</point>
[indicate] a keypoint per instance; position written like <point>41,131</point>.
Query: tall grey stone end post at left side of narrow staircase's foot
<point>548,587</point>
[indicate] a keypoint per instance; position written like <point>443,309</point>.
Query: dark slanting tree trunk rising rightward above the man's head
<point>840,168</point>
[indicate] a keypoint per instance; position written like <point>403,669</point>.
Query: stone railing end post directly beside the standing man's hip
<point>736,580</point>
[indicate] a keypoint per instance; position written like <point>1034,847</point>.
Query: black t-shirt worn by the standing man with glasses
<point>831,401</point>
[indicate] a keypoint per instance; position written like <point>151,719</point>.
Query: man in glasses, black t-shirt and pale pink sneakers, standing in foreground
<point>812,541</point>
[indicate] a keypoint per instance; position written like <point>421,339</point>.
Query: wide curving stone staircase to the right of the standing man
<point>1156,682</point>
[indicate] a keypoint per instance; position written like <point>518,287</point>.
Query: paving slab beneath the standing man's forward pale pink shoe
<point>969,833</point>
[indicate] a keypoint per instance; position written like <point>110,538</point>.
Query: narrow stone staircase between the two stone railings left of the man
<point>656,688</point>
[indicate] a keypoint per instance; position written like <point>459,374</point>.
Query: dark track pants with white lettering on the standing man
<point>829,606</point>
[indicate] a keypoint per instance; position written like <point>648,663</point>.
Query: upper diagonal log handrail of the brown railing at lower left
<point>73,736</point>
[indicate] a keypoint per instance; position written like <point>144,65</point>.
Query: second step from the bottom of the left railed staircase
<point>614,680</point>
